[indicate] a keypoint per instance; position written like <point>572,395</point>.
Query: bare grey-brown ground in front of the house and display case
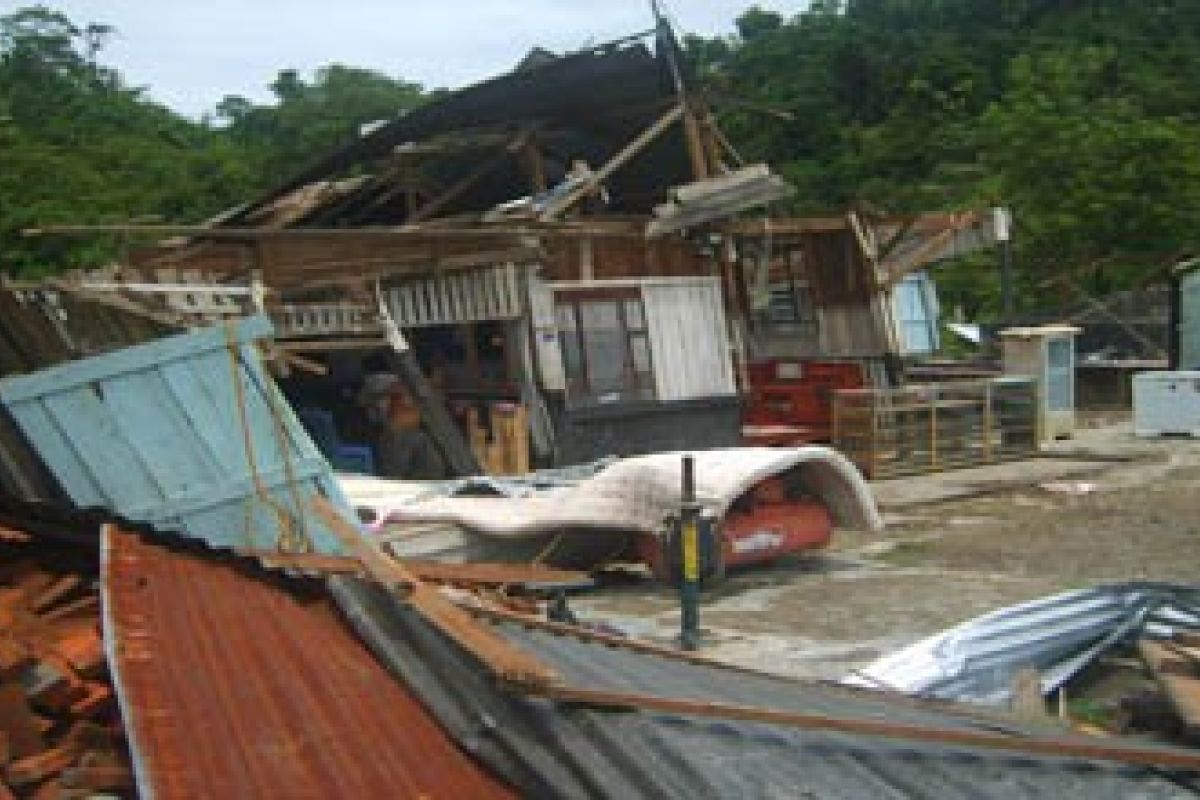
<point>957,545</point>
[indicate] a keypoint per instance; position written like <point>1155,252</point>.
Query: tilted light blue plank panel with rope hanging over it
<point>155,434</point>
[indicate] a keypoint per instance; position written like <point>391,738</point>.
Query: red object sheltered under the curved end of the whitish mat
<point>763,525</point>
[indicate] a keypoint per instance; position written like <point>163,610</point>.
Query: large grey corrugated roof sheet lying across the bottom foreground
<point>550,750</point>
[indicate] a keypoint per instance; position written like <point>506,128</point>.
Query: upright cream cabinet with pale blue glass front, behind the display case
<point>1047,353</point>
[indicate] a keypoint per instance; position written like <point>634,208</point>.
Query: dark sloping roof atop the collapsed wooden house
<point>584,106</point>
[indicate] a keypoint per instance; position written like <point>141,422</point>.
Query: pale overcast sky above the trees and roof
<point>193,53</point>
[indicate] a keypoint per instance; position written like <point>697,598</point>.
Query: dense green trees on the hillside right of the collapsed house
<point>1079,115</point>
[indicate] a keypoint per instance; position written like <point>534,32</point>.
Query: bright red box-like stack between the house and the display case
<point>789,401</point>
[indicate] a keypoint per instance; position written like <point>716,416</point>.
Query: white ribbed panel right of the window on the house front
<point>689,339</point>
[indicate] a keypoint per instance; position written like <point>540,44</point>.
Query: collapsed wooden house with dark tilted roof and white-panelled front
<point>569,238</point>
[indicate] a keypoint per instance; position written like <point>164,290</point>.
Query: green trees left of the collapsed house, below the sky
<point>80,146</point>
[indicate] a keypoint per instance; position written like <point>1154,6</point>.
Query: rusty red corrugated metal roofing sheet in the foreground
<point>237,684</point>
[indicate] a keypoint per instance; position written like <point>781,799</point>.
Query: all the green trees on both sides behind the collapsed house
<point>1079,115</point>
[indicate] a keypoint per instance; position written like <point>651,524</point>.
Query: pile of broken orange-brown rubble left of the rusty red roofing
<point>61,732</point>
